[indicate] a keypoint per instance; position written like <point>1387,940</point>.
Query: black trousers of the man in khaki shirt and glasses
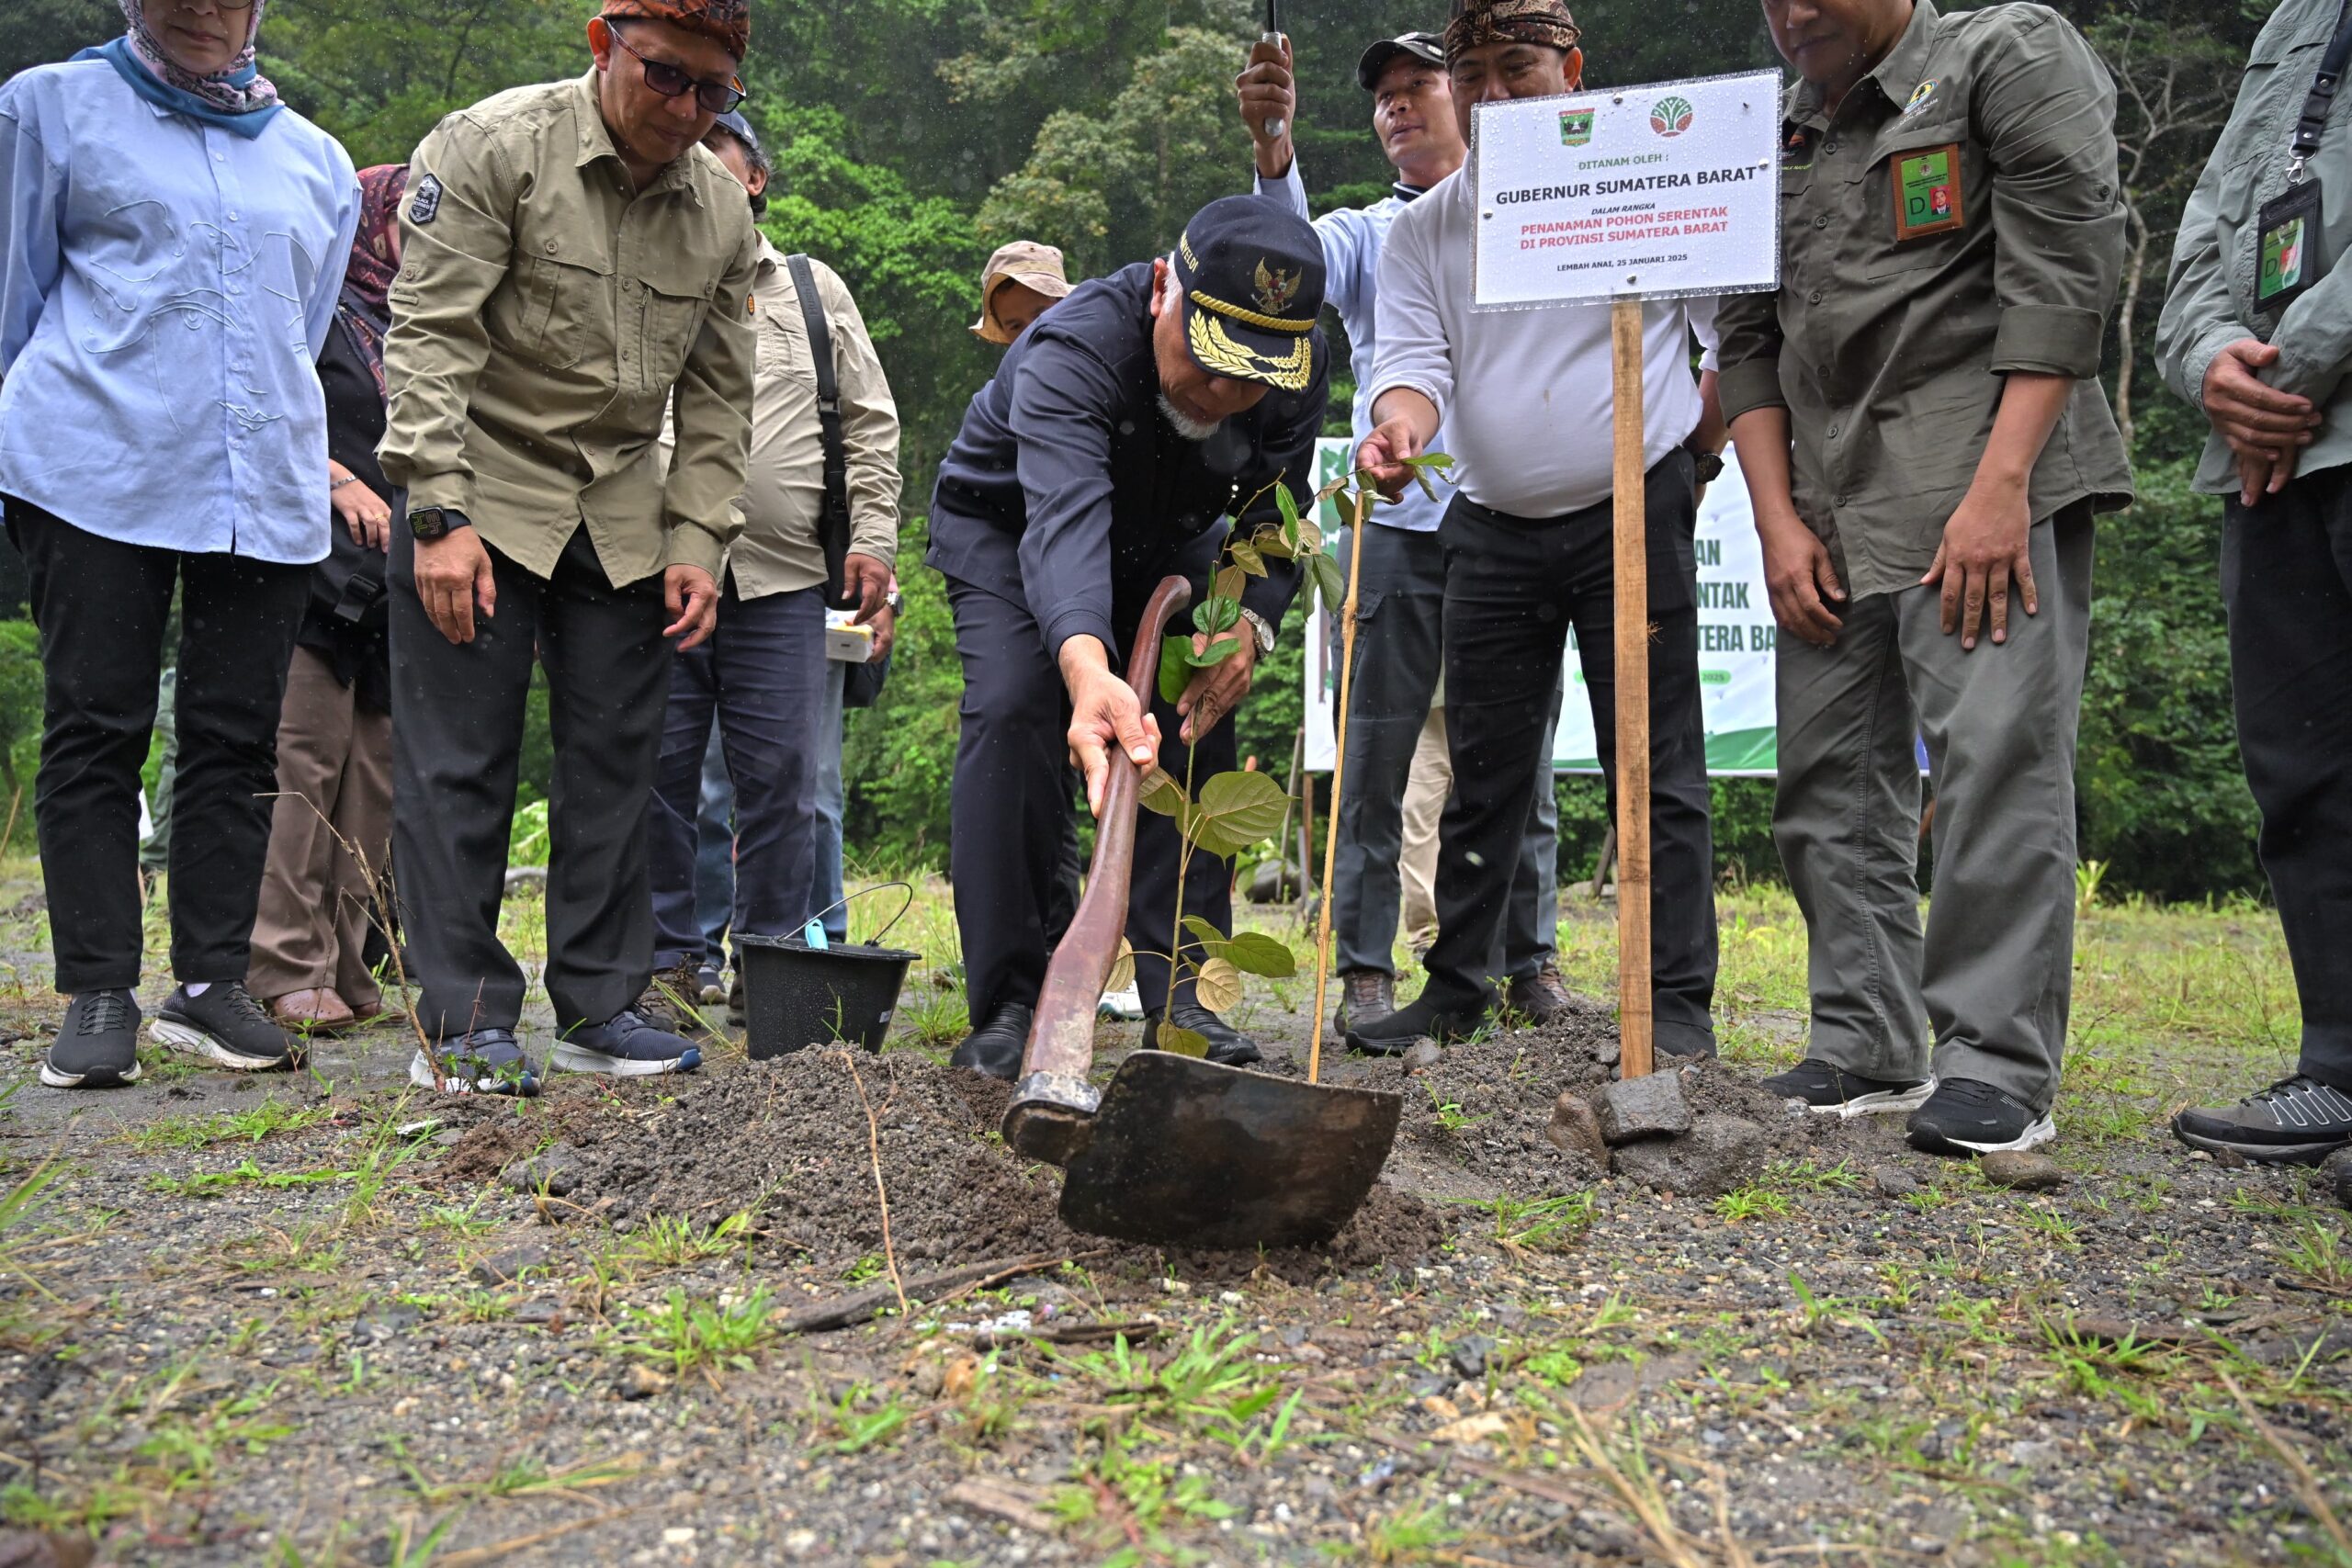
<point>457,749</point>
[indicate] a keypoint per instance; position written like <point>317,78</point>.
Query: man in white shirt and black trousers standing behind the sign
<point>1525,401</point>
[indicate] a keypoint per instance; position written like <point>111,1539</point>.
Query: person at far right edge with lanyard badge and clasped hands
<point>2257,335</point>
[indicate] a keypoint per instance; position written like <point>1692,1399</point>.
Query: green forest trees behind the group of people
<point>916,135</point>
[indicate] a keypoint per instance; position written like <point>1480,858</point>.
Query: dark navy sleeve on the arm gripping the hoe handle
<point>1062,453</point>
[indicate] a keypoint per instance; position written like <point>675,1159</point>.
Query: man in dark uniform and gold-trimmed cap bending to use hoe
<point>1114,445</point>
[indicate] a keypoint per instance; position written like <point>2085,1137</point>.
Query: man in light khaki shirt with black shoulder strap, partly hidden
<point>766,674</point>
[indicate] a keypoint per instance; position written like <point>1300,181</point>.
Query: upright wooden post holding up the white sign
<point>1631,692</point>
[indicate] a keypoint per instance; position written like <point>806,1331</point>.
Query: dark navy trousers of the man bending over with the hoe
<point>1013,812</point>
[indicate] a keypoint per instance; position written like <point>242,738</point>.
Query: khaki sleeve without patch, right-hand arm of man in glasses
<point>711,413</point>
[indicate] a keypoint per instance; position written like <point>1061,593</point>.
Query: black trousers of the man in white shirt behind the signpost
<point>1514,591</point>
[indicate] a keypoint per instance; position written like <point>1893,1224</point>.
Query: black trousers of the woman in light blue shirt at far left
<point>102,612</point>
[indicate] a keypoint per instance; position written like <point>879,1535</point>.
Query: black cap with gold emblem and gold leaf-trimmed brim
<point>1252,286</point>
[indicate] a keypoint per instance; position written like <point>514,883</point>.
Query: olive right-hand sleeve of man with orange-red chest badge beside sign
<point>2057,217</point>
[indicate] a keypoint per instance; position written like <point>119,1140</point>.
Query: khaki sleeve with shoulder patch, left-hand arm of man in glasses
<point>439,344</point>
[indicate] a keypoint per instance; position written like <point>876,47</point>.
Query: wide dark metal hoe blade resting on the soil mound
<point>1187,1153</point>
